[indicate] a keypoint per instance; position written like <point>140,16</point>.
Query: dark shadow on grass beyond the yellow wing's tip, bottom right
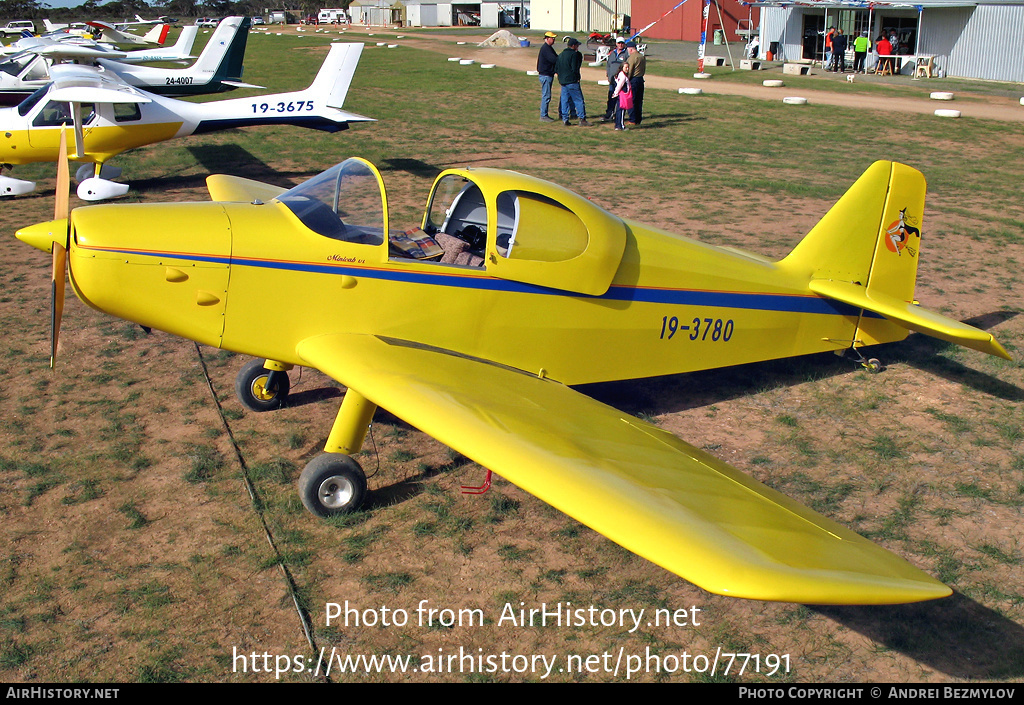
<point>956,637</point>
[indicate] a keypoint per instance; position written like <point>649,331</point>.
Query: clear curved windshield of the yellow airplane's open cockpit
<point>344,203</point>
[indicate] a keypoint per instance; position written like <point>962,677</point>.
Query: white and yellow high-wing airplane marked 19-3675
<point>110,117</point>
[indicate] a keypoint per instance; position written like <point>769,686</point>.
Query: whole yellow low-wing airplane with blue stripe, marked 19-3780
<point>474,326</point>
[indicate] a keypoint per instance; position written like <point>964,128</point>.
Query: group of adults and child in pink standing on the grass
<point>626,69</point>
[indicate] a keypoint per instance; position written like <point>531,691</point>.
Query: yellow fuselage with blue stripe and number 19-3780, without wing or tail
<point>253,280</point>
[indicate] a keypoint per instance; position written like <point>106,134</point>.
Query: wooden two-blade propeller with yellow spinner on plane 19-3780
<point>55,237</point>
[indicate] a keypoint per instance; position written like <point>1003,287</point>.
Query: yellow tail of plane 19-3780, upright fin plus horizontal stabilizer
<point>865,253</point>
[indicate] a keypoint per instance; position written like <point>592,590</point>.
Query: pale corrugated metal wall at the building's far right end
<point>976,43</point>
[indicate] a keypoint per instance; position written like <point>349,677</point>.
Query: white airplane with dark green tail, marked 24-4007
<point>219,68</point>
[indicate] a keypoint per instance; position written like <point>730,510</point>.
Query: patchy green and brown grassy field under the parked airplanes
<point>139,494</point>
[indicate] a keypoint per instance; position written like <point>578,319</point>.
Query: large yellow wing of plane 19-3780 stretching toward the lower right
<point>642,487</point>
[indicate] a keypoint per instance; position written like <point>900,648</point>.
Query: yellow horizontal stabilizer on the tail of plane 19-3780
<point>910,316</point>
